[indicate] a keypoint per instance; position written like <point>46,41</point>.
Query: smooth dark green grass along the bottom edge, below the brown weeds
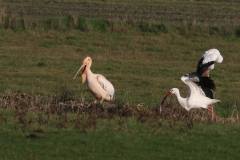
<point>98,145</point>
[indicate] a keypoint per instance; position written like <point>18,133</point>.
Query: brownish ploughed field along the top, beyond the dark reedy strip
<point>204,11</point>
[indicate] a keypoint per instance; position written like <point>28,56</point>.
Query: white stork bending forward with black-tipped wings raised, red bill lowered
<point>199,90</point>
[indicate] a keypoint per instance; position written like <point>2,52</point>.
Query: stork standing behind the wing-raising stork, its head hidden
<point>211,55</point>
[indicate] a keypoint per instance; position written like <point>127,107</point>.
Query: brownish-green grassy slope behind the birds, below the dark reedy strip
<point>142,68</point>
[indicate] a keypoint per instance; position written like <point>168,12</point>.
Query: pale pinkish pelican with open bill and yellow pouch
<point>98,85</point>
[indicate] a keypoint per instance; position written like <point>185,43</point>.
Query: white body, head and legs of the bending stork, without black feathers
<point>196,98</point>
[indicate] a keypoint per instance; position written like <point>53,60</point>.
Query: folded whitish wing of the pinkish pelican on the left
<point>106,85</point>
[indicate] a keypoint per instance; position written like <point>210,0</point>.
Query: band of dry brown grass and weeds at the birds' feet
<point>21,104</point>
